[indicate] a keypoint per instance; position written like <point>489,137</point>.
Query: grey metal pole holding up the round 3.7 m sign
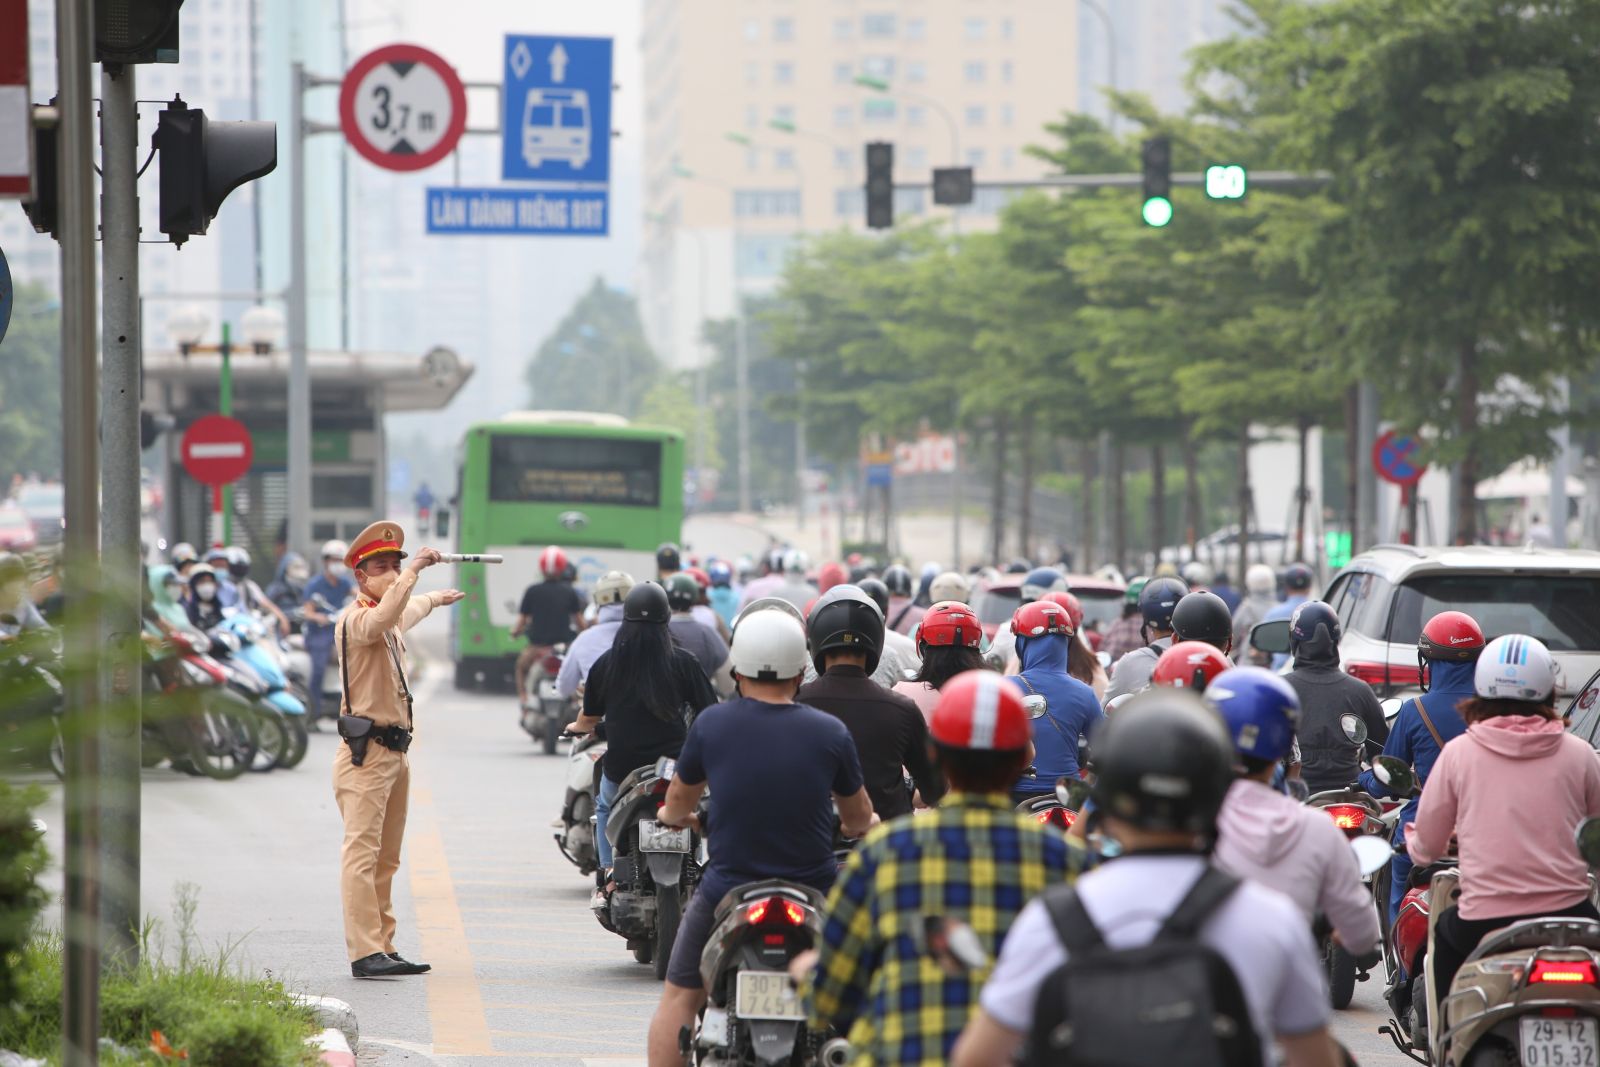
<point>300,372</point>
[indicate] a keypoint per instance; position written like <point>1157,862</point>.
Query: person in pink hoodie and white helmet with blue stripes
<point>1518,861</point>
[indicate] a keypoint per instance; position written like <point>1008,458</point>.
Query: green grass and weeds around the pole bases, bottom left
<point>201,1004</point>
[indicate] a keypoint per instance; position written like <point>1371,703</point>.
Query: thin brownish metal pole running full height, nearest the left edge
<point>81,474</point>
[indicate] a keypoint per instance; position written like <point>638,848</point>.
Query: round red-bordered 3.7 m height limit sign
<point>402,108</point>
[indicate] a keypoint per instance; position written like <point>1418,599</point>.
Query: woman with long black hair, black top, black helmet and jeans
<point>646,690</point>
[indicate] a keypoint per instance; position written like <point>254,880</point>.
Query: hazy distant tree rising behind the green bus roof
<point>598,359</point>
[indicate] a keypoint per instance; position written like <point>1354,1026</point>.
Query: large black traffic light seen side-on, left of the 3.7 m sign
<point>204,161</point>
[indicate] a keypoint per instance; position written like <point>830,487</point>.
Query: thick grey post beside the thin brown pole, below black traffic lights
<point>121,535</point>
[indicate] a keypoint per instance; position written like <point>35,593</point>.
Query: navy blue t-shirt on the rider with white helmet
<point>774,770</point>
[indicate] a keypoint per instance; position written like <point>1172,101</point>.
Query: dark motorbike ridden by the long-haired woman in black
<point>655,868</point>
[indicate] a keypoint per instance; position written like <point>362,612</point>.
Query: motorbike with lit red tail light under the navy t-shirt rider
<point>753,1015</point>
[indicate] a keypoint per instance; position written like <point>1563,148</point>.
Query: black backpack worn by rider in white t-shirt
<point>1174,1001</point>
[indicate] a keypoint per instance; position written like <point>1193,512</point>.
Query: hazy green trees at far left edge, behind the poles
<point>31,386</point>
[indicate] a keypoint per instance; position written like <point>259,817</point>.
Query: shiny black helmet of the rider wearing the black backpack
<point>1164,762</point>
